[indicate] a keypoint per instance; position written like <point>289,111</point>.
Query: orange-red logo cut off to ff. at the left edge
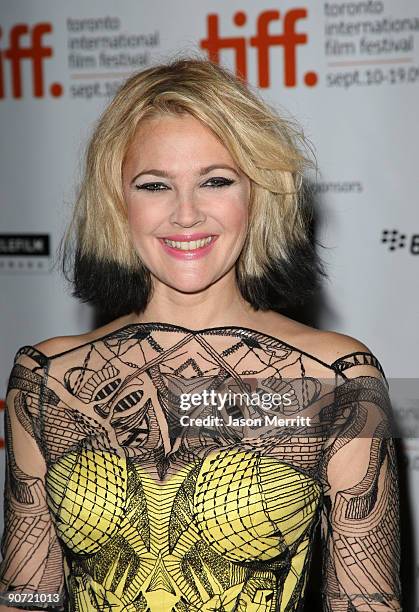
<point>35,52</point>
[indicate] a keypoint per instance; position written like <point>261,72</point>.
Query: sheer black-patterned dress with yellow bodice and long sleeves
<point>130,489</point>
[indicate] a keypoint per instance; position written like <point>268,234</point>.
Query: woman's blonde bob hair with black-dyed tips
<point>267,148</point>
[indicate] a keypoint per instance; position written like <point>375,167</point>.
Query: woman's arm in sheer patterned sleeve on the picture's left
<point>32,558</point>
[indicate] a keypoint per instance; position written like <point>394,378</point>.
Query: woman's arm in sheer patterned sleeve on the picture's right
<point>360,526</point>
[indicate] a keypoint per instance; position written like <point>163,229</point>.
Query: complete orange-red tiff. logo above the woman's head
<point>289,39</point>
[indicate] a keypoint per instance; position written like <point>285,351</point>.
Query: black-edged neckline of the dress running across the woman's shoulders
<point>188,330</point>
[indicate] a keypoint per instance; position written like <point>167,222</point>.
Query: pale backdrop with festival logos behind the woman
<point>348,72</point>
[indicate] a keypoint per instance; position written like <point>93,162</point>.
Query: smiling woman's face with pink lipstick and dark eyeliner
<point>181,184</point>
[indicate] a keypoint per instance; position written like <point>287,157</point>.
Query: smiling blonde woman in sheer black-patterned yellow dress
<point>134,480</point>
